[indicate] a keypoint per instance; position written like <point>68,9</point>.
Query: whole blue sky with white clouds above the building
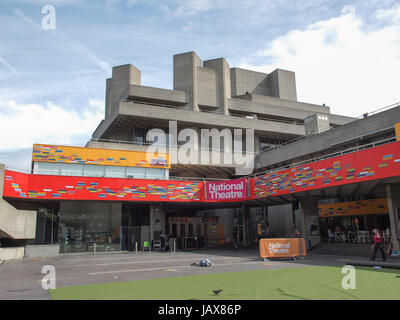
<point>346,54</point>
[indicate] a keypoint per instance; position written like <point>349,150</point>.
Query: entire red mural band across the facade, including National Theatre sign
<point>370,164</point>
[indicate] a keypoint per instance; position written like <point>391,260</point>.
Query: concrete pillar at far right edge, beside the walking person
<point>393,199</point>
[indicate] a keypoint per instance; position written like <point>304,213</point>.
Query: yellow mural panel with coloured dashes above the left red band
<point>108,157</point>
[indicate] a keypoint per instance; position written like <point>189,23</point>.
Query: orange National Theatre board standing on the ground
<point>282,248</point>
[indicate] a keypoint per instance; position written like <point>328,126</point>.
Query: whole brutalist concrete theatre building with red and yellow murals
<point>109,193</point>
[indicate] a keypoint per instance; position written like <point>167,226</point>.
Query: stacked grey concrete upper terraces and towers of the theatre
<point>206,94</point>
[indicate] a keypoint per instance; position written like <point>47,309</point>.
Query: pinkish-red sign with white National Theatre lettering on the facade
<point>231,190</point>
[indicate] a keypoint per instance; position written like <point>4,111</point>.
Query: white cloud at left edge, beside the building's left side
<point>25,124</point>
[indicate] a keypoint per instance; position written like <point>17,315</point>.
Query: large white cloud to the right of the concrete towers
<point>338,62</point>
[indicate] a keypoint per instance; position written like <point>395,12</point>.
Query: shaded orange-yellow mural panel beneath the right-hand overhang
<point>354,208</point>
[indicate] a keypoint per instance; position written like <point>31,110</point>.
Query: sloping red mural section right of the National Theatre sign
<point>370,164</point>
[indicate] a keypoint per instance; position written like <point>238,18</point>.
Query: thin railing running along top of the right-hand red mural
<point>328,156</point>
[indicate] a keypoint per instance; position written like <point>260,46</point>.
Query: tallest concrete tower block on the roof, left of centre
<point>185,76</point>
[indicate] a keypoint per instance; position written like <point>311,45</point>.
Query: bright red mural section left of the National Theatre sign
<point>21,185</point>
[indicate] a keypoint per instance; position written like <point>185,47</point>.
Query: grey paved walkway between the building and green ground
<point>21,279</point>
